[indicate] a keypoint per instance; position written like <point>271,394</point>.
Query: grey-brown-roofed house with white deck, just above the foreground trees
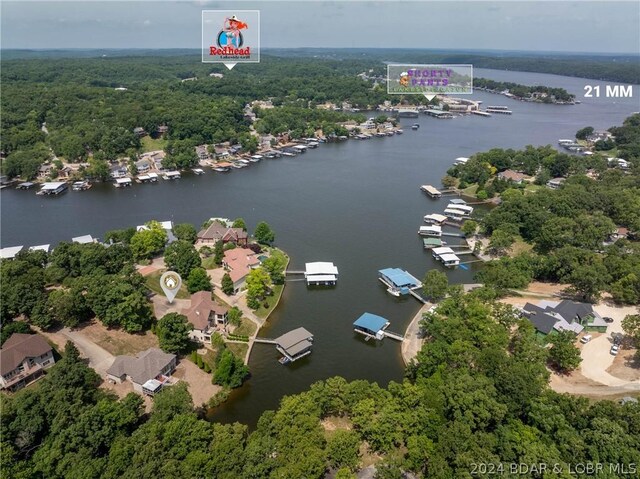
<point>148,372</point>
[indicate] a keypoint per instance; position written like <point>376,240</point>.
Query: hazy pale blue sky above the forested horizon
<point>585,26</point>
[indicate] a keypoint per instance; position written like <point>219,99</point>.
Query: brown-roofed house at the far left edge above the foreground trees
<point>23,359</point>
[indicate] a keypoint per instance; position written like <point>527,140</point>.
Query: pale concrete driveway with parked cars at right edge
<point>596,356</point>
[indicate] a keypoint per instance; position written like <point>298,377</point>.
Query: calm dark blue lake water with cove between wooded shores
<point>355,203</point>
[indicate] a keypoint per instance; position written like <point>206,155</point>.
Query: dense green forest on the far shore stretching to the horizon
<point>90,106</point>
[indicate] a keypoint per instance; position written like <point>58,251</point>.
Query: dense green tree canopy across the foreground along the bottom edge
<point>475,398</point>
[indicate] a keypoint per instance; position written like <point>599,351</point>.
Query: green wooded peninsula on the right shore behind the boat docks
<point>568,228</point>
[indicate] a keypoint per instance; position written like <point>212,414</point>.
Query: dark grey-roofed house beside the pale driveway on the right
<point>566,315</point>
